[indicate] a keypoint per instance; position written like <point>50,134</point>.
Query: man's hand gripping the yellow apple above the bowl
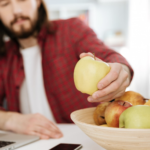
<point>113,85</point>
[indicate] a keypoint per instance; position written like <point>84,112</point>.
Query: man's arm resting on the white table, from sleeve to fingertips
<point>32,124</point>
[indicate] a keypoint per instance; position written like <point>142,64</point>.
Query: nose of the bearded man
<point>16,9</point>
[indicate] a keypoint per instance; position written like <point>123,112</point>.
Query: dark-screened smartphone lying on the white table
<point>65,146</point>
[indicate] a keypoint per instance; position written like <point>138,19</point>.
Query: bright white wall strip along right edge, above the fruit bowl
<point>139,45</point>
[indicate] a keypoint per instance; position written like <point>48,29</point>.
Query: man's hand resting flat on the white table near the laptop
<point>32,124</point>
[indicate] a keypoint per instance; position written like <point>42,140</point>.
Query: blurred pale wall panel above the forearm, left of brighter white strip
<point>112,16</point>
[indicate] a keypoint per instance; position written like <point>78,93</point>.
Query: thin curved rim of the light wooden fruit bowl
<point>102,127</point>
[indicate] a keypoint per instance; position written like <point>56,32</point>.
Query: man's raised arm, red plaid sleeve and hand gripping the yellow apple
<point>121,73</point>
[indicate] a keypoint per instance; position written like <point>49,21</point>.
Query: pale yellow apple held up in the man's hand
<point>87,74</point>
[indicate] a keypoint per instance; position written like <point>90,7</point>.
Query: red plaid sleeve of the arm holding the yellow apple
<point>85,40</point>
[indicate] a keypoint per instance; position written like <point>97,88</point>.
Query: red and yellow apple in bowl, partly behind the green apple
<point>113,112</point>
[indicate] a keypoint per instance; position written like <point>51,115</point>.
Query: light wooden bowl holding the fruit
<point>111,138</point>
